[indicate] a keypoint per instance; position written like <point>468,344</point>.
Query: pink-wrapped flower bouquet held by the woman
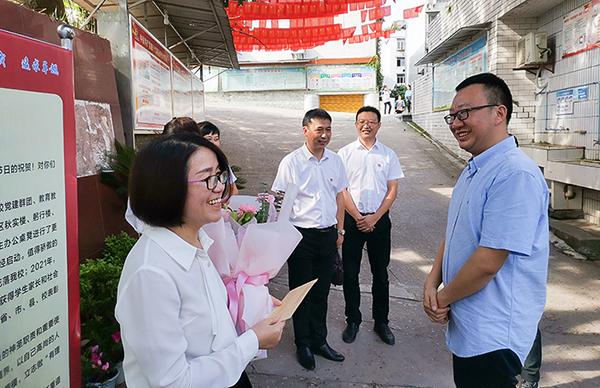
<point>247,256</point>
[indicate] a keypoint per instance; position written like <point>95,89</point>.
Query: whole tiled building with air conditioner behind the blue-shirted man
<point>548,52</point>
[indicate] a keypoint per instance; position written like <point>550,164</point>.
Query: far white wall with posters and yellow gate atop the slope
<point>335,76</point>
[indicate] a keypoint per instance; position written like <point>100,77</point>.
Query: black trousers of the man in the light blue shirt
<point>497,369</point>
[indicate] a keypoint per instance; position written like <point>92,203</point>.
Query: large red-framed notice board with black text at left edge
<point>39,305</point>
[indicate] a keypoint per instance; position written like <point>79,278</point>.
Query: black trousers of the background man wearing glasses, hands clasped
<point>379,247</point>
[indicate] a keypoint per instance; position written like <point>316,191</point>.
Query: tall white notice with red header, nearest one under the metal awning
<point>151,78</point>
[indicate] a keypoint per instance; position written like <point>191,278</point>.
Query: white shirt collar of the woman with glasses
<point>178,249</point>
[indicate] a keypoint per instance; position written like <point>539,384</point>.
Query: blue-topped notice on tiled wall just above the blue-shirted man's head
<point>448,74</point>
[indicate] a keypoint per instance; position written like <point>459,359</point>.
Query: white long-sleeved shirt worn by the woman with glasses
<point>175,326</point>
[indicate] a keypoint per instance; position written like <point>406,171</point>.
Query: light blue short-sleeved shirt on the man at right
<point>500,201</point>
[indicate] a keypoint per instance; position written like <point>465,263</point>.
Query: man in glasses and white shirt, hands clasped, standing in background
<point>373,171</point>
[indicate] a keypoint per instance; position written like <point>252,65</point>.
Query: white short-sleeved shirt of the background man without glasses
<point>319,181</point>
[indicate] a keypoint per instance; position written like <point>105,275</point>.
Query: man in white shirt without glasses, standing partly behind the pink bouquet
<point>318,213</point>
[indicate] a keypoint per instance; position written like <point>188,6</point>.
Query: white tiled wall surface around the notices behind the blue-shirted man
<point>535,106</point>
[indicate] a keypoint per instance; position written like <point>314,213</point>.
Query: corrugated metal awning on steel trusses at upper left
<point>196,32</point>
